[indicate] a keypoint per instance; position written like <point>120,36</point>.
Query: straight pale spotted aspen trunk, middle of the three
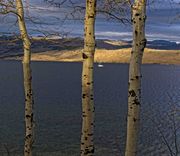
<point>87,142</point>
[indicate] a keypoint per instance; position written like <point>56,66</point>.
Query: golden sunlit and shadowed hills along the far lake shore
<point>107,51</point>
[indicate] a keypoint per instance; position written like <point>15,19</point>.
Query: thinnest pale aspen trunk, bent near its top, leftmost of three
<point>27,81</point>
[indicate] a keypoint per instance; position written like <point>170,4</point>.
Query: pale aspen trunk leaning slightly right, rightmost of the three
<point>134,91</point>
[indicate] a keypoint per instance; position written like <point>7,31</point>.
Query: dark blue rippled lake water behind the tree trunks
<point>58,108</point>
